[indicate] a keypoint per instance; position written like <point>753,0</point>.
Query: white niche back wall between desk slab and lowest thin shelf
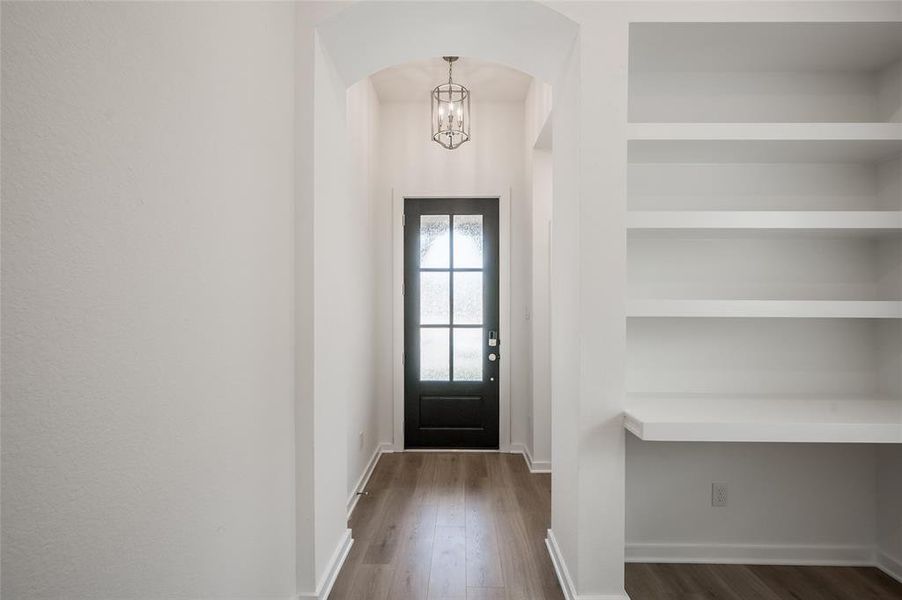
<point>813,357</point>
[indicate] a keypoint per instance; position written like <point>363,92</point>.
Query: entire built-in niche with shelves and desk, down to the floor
<point>764,292</point>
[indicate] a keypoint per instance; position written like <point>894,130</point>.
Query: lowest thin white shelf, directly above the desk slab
<point>810,309</point>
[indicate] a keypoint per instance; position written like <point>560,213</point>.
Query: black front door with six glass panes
<point>451,343</point>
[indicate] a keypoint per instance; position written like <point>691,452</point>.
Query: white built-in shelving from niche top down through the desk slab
<point>764,246</point>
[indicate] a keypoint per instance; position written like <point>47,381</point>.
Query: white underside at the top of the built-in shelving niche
<point>764,46</point>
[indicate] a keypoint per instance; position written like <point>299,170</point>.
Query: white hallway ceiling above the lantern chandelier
<point>486,80</point>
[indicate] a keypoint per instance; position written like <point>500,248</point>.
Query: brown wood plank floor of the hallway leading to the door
<point>443,526</point>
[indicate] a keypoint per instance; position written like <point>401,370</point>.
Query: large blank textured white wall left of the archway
<point>147,303</point>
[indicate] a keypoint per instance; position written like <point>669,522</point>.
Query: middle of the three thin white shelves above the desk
<point>867,221</point>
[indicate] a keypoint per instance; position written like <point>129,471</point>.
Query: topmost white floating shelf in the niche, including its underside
<point>763,142</point>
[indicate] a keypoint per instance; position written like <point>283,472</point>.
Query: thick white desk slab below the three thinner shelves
<point>764,419</point>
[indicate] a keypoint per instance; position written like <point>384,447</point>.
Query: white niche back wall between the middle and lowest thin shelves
<point>746,266</point>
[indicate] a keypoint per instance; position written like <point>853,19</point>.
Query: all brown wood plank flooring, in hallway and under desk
<point>471,526</point>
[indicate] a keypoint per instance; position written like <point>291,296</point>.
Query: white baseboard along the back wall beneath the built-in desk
<point>750,554</point>
